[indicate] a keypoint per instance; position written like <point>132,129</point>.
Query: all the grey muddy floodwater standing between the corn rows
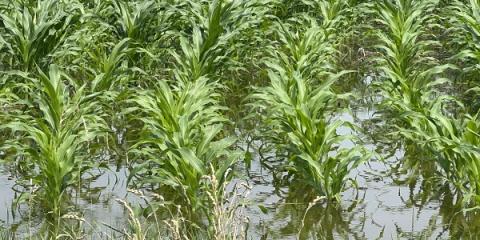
<point>384,207</point>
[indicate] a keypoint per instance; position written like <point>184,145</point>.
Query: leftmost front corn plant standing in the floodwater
<point>55,136</point>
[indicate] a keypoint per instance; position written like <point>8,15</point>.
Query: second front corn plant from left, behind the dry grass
<point>182,139</point>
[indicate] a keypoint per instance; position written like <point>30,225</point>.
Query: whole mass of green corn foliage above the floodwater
<point>158,85</point>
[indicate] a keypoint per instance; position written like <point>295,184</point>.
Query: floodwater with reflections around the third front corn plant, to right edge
<point>392,203</point>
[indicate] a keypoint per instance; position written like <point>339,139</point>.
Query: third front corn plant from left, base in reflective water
<point>310,134</point>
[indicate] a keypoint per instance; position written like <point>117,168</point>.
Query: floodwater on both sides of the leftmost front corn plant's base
<point>95,204</point>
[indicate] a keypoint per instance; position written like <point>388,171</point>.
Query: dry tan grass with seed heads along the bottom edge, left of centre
<point>228,220</point>
